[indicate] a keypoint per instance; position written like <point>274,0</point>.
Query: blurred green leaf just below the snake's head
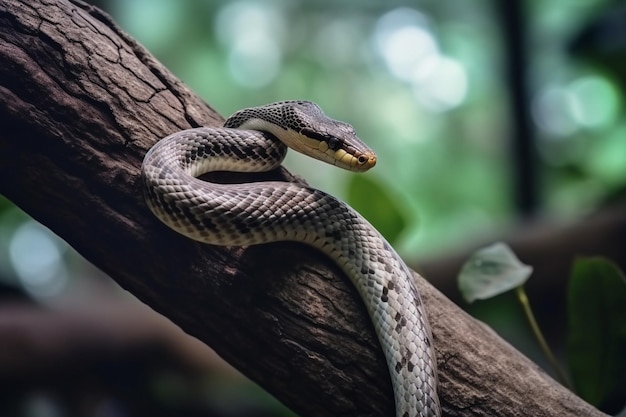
<point>377,205</point>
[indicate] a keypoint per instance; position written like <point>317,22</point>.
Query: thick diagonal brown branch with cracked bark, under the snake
<point>80,103</point>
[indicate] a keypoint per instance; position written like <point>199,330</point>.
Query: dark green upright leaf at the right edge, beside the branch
<point>596,344</point>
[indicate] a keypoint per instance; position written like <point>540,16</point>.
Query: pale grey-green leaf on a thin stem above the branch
<point>491,271</point>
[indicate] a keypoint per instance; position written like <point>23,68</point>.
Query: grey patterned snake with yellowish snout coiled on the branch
<point>256,139</point>
